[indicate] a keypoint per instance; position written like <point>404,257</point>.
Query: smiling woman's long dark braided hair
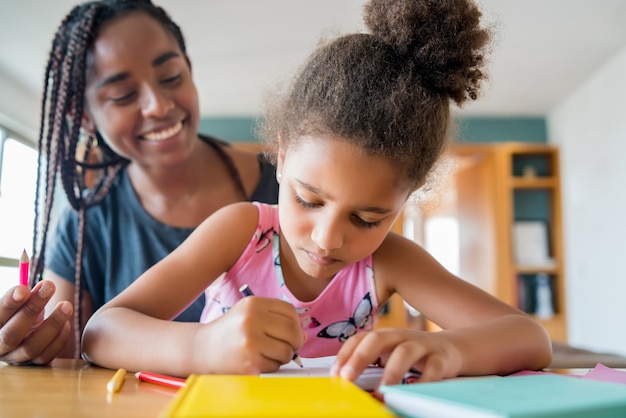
<point>60,130</point>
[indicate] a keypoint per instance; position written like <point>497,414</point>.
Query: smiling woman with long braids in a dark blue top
<point>120,103</point>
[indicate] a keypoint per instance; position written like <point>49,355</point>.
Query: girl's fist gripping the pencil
<point>256,335</point>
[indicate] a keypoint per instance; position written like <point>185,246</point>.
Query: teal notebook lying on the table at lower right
<point>536,396</point>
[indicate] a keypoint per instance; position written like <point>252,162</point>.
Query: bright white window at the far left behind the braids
<point>18,177</point>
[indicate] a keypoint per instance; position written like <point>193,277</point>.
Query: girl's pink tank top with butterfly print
<point>346,306</point>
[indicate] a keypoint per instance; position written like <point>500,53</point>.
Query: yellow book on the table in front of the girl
<point>255,396</point>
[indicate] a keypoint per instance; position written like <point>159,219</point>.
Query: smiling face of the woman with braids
<point>140,94</point>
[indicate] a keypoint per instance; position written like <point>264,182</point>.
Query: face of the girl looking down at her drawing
<point>336,204</point>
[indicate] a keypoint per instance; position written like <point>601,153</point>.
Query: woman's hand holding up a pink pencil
<point>25,337</point>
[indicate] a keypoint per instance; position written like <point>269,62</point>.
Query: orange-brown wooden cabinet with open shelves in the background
<point>497,186</point>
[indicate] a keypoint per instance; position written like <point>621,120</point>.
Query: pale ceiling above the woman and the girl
<point>240,48</point>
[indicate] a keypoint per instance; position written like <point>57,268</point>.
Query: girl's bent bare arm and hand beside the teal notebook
<point>481,334</point>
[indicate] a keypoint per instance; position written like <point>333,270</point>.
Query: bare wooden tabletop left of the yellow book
<point>72,388</point>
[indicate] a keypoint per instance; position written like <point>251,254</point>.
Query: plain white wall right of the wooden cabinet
<point>590,128</point>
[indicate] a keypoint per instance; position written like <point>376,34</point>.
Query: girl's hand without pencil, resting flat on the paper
<point>399,351</point>
